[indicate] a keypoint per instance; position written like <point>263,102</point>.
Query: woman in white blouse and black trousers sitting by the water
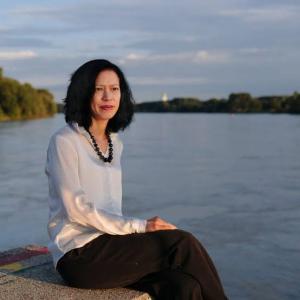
<point>92,244</point>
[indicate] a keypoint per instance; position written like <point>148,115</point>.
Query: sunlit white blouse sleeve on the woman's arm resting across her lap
<point>64,186</point>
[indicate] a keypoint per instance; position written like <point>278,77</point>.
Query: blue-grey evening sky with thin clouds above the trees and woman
<point>191,48</point>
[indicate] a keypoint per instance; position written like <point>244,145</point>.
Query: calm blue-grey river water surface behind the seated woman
<point>231,180</point>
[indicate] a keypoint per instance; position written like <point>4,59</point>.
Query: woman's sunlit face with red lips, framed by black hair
<point>106,99</point>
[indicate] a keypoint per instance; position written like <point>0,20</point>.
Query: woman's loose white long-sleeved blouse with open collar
<point>85,194</point>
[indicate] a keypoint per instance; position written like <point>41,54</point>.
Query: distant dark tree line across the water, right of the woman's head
<point>236,103</point>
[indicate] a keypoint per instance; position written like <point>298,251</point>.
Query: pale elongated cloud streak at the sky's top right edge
<point>264,14</point>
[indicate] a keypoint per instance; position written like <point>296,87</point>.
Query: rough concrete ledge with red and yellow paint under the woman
<point>28,273</point>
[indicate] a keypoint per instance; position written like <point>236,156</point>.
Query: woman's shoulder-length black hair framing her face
<point>77,104</point>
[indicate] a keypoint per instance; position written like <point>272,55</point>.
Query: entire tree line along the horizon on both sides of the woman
<point>22,101</point>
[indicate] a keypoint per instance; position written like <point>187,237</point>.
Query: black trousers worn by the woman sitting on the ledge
<point>168,264</point>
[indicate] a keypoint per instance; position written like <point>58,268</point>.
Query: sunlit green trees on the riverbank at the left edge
<point>22,101</point>
